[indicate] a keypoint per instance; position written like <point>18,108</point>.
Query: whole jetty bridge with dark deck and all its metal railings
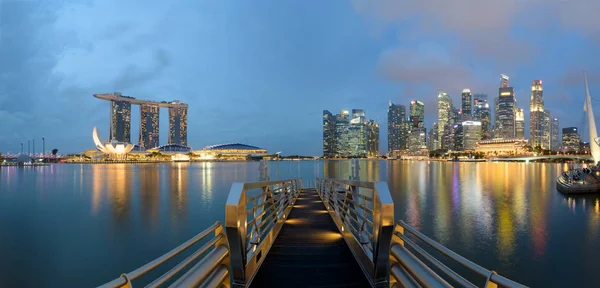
<point>337,233</point>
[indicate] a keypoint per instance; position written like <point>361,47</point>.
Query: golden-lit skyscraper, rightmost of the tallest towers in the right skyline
<point>536,115</point>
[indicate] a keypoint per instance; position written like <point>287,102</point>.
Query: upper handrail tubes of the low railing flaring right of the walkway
<point>491,276</point>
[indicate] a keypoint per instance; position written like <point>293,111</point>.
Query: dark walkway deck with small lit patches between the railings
<point>309,251</point>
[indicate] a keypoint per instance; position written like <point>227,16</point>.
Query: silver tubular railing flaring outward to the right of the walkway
<point>408,270</point>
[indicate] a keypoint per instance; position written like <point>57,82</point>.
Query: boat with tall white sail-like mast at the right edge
<point>584,180</point>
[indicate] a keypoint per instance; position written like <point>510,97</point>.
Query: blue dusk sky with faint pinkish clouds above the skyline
<point>261,72</point>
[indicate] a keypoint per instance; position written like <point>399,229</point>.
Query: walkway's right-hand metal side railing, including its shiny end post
<point>364,215</point>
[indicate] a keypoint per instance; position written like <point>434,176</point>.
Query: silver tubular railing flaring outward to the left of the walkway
<point>211,268</point>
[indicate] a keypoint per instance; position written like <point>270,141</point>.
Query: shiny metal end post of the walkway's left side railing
<point>235,227</point>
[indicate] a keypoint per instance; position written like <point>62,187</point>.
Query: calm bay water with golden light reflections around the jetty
<point>86,224</point>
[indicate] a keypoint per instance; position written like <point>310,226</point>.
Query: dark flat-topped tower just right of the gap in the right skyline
<point>397,127</point>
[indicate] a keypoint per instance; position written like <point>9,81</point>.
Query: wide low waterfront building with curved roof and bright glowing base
<point>232,151</point>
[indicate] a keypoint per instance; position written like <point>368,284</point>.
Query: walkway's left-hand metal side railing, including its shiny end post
<point>254,215</point>
